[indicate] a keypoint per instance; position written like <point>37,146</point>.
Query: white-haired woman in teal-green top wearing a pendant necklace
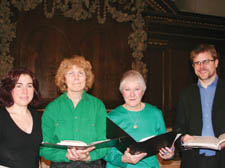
<point>139,120</point>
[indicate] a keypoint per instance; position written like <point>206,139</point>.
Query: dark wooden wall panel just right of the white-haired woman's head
<point>156,58</point>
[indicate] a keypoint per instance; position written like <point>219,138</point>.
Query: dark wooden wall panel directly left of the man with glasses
<point>182,75</point>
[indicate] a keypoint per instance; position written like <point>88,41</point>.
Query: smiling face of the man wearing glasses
<point>205,72</point>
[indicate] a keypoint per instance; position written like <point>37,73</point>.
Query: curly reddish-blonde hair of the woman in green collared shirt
<point>67,64</point>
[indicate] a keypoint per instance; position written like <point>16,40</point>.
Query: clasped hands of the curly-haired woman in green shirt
<point>75,154</point>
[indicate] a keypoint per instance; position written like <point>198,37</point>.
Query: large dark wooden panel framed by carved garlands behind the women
<point>48,41</point>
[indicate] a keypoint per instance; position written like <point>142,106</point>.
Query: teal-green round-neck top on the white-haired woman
<point>149,121</point>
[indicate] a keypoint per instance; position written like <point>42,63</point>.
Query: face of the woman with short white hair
<point>132,92</point>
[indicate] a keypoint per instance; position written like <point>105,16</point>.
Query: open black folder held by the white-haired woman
<point>151,145</point>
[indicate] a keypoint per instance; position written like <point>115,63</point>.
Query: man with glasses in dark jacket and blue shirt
<point>201,110</point>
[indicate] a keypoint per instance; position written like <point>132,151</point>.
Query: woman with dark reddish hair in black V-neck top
<point>20,125</point>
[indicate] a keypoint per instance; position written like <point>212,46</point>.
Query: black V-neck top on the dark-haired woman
<point>19,149</point>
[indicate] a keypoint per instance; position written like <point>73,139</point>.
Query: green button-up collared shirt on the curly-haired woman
<point>61,121</point>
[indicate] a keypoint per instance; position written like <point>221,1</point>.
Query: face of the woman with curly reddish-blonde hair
<point>75,79</point>
